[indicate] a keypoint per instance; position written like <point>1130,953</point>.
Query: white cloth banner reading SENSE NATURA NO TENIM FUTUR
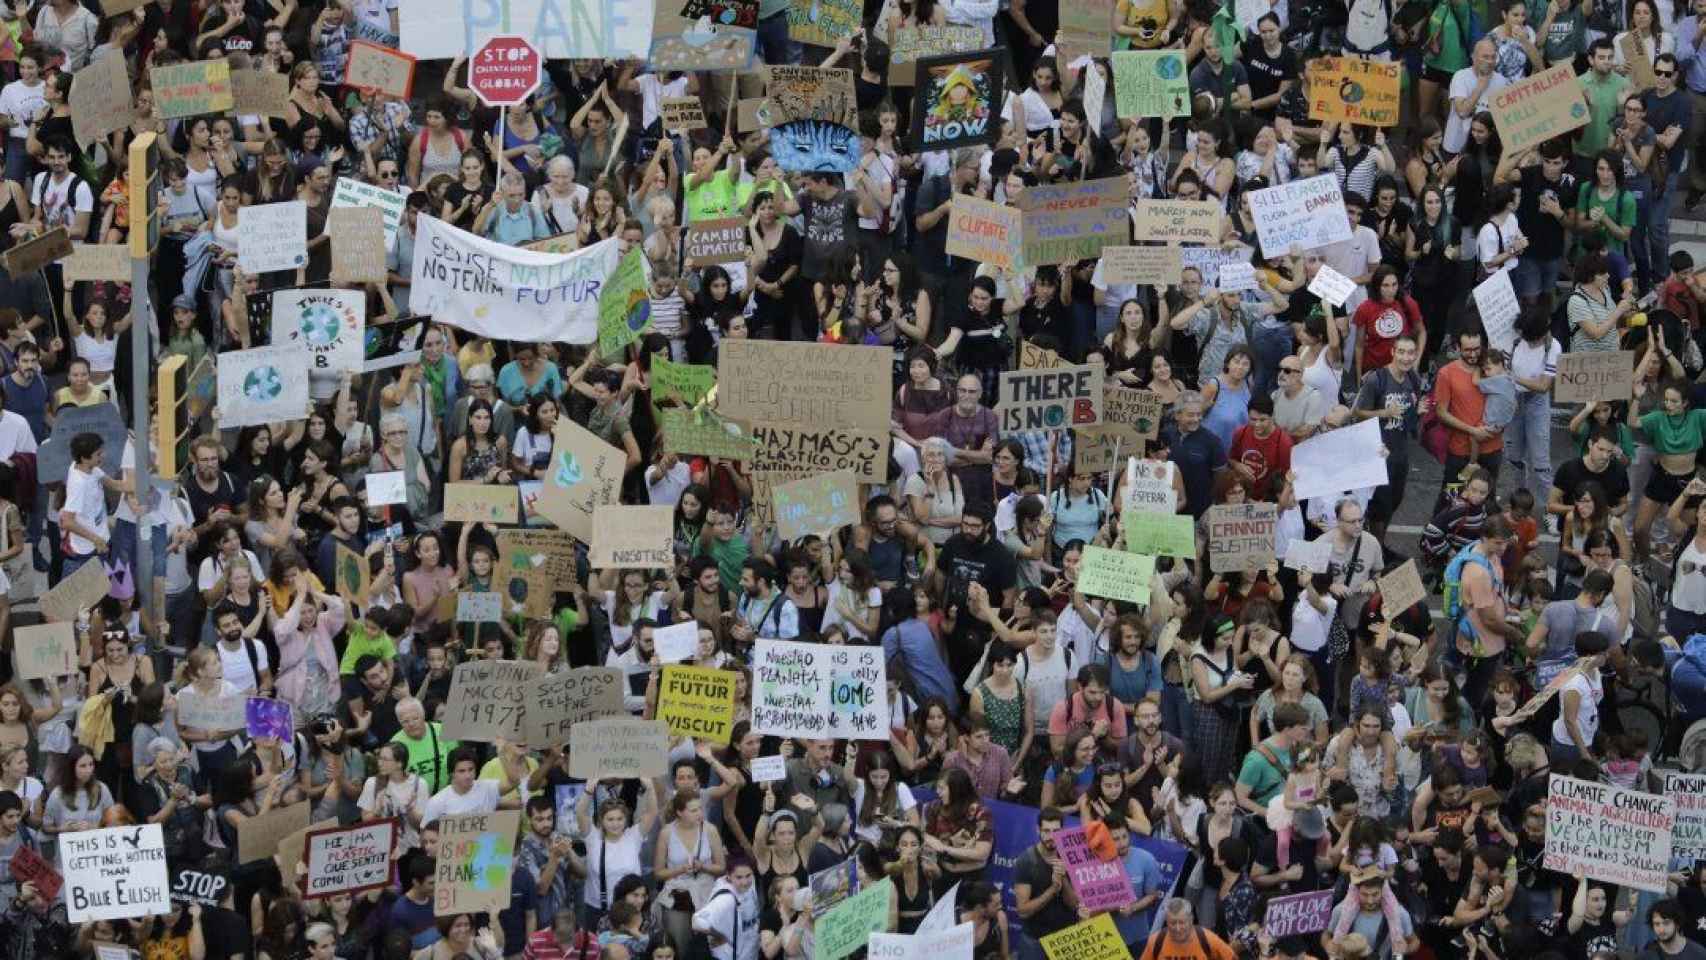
<point>499,292</point>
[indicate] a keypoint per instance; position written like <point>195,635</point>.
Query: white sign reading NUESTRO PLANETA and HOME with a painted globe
<point>806,690</point>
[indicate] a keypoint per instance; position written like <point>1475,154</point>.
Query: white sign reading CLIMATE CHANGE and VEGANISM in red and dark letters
<point>1608,833</point>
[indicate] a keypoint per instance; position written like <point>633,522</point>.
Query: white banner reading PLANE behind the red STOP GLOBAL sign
<point>610,30</point>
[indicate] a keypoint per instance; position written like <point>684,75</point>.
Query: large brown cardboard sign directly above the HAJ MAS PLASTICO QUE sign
<point>806,385</point>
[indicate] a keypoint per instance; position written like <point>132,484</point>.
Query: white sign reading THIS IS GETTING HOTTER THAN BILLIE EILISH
<point>115,874</point>
